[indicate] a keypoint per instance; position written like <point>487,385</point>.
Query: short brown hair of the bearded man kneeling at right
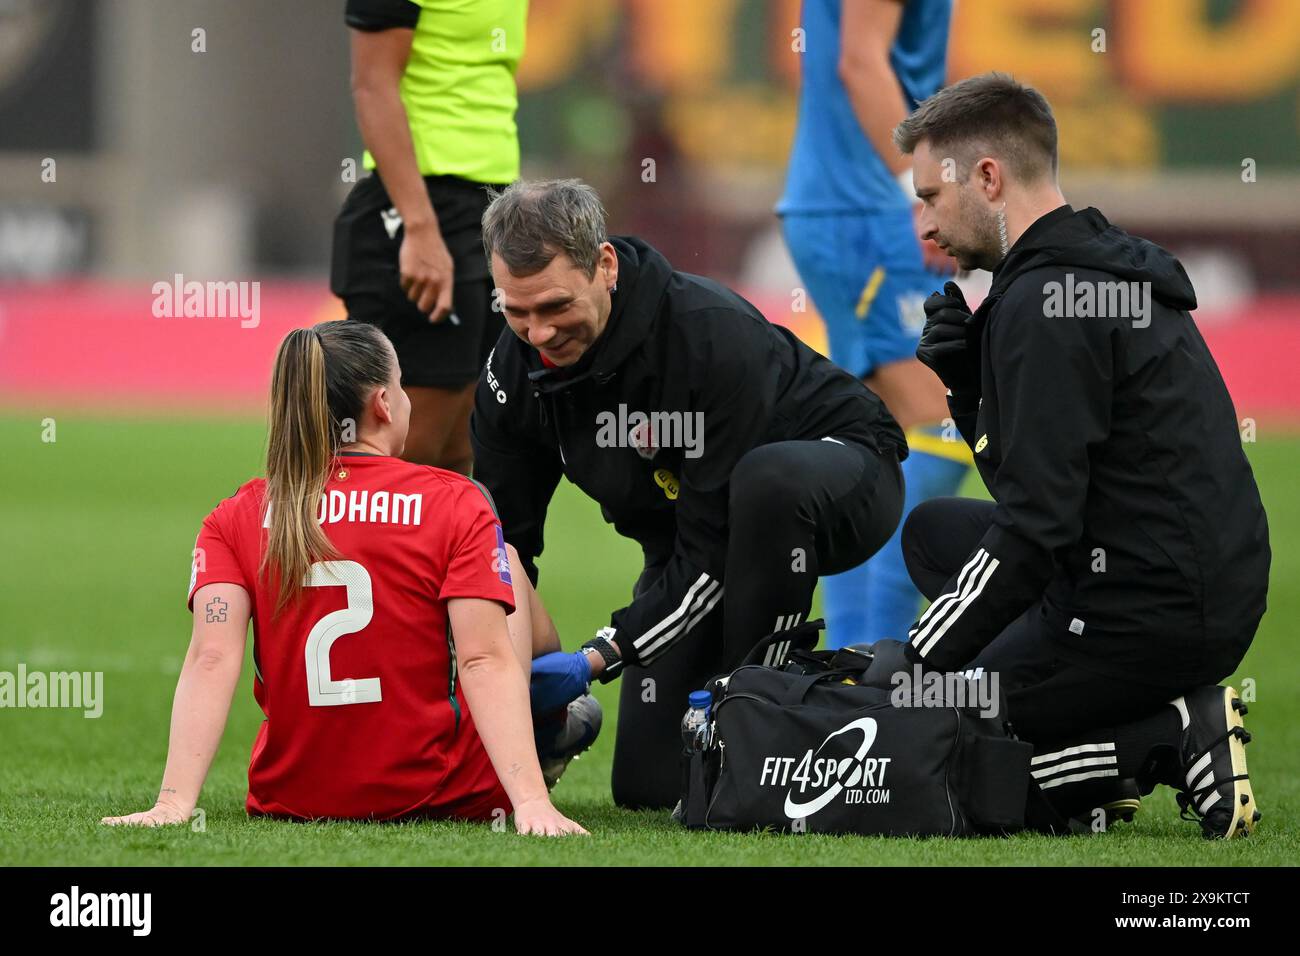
<point>990,115</point>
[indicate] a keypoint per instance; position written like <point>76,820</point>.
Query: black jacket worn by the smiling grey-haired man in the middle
<point>675,344</point>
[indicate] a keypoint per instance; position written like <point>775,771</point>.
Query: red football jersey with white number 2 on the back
<point>358,677</point>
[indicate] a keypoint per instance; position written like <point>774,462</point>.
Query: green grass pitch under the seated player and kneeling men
<point>98,529</point>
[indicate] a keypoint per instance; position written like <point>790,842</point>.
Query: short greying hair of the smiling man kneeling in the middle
<point>528,224</point>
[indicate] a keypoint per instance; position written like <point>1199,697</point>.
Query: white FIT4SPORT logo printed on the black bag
<point>816,780</point>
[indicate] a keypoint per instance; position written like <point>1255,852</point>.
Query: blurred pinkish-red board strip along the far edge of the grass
<point>131,347</point>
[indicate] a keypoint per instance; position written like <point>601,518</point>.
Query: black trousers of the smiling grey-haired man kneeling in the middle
<point>799,509</point>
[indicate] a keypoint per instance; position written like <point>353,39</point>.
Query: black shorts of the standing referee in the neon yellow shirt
<point>365,274</point>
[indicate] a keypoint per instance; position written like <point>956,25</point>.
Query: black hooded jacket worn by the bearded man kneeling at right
<point>1107,438</point>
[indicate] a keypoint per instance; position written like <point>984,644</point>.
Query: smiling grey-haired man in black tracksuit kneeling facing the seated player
<point>791,471</point>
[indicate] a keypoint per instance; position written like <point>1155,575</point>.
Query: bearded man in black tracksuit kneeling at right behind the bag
<point>1124,563</point>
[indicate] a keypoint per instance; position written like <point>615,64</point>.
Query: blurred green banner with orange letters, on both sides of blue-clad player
<point>1136,84</point>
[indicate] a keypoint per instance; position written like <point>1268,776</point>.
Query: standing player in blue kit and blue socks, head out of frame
<point>848,220</point>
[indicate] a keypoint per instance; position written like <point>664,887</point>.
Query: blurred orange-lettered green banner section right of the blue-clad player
<point>1178,84</point>
